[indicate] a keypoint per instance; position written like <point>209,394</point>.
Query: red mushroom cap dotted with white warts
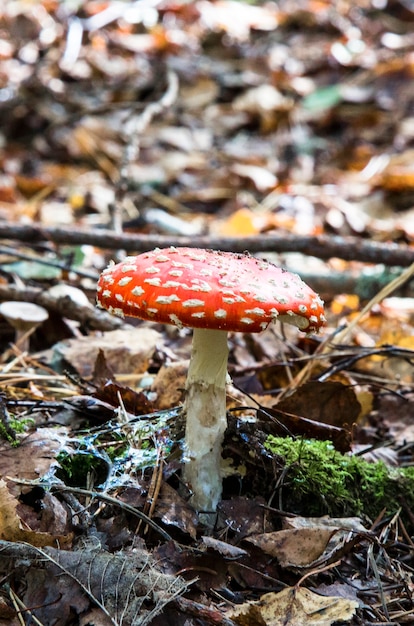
<point>208,289</point>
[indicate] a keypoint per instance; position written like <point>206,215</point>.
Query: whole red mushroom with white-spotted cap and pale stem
<point>213,293</point>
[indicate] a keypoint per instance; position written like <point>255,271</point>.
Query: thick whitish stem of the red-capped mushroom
<point>205,408</point>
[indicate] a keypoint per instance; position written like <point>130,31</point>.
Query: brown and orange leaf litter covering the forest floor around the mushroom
<point>178,120</point>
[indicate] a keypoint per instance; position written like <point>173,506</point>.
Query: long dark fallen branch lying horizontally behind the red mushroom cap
<point>323,246</point>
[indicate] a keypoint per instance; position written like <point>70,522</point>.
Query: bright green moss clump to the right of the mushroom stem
<point>320,481</point>
